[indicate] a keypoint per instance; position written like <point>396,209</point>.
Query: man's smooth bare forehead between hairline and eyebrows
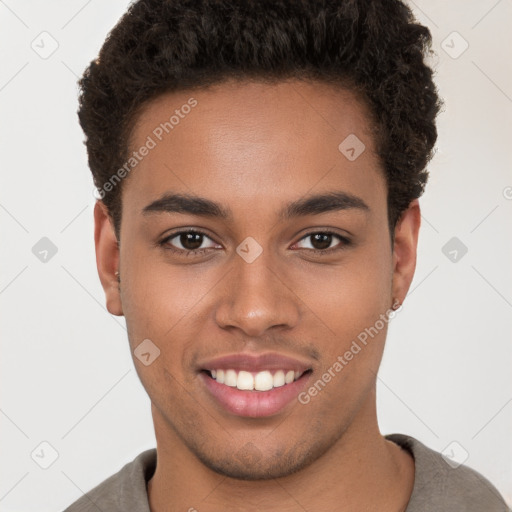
<point>253,140</point>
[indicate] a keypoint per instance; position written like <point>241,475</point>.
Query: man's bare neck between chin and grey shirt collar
<point>361,471</point>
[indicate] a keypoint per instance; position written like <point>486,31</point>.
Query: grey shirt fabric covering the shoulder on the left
<point>124,490</point>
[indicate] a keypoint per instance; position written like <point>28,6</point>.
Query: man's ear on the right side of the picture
<point>404,250</point>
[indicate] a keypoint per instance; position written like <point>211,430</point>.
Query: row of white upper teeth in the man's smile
<point>261,381</point>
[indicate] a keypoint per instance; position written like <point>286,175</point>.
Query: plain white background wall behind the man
<point>67,374</point>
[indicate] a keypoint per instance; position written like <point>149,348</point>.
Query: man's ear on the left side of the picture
<point>107,257</point>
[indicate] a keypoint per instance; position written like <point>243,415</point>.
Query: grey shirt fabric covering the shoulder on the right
<point>439,485</point>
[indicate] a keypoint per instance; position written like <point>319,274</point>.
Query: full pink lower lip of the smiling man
<point>254,404</point>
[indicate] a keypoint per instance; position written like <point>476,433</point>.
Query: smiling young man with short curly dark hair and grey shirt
<point>259,165</point>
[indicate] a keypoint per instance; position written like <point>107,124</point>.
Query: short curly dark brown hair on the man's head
<point>374,47</point>
